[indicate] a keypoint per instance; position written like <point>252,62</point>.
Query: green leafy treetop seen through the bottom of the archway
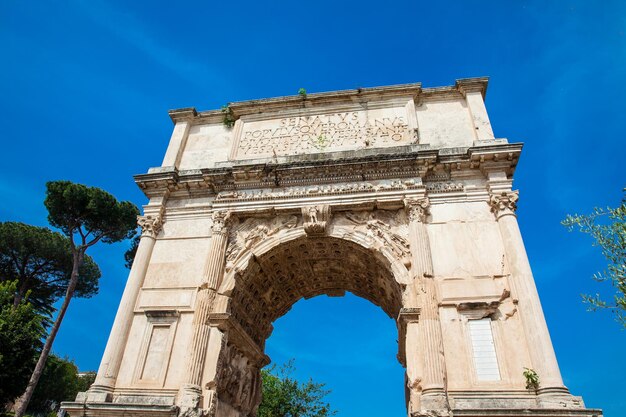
<point>283,396</point>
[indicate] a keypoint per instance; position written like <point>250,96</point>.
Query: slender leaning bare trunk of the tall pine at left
<point>22,403</point>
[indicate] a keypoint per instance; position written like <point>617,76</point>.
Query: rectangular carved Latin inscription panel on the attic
<point>339,131</point>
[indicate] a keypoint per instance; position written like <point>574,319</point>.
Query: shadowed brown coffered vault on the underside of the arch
<point>302,268</point>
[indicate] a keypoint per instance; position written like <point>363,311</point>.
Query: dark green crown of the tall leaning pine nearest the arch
<point>89,212</point>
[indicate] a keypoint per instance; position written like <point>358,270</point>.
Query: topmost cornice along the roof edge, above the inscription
<point>332,98</point>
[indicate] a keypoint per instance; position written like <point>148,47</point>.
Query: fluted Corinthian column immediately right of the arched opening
<point>430,342</point>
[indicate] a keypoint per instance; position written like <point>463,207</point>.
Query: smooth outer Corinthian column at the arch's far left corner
<point>109,367</point>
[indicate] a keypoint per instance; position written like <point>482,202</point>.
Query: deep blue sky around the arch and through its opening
<point>85,87</point>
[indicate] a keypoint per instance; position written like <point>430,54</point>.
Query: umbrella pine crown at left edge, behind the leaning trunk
<point>41,261</point>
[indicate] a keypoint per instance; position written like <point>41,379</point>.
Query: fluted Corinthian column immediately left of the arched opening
<point>191,392</point>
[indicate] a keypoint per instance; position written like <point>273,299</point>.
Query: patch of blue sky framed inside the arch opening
<point>349,344</point>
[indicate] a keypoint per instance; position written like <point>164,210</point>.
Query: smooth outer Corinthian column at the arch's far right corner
<point>503,205</point>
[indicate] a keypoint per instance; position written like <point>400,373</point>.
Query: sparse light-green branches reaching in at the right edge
<point>608,229</point>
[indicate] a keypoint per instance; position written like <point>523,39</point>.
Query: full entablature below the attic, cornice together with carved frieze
<point>392,168</point>
